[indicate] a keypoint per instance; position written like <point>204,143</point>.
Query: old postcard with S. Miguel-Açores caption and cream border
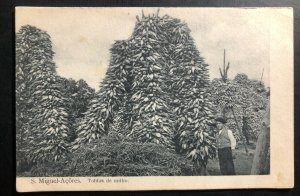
<point>153,98</point>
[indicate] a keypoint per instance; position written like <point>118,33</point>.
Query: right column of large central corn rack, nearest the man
<point>189,80</point>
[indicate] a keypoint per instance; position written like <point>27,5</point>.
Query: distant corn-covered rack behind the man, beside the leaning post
<point>247,97</point>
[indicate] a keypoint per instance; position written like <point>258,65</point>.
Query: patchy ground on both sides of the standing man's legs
<point>242,161</point>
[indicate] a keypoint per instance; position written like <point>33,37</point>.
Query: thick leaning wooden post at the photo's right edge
<point>261,160</point>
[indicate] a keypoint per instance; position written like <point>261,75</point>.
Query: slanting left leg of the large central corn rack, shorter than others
<point>99,116</point>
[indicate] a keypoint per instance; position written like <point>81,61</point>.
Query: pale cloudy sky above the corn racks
<point>81,37</point>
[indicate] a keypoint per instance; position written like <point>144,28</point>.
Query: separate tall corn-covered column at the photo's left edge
<point>41,117</point>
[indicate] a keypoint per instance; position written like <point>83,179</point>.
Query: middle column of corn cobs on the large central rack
<point>149,102</point>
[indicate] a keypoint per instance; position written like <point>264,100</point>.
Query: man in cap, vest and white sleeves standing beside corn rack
<point>225,144</point>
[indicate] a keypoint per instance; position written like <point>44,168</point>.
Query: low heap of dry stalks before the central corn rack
<point>113,155</point>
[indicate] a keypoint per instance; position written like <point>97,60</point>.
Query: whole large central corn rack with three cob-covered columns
<point>159,61</point>
